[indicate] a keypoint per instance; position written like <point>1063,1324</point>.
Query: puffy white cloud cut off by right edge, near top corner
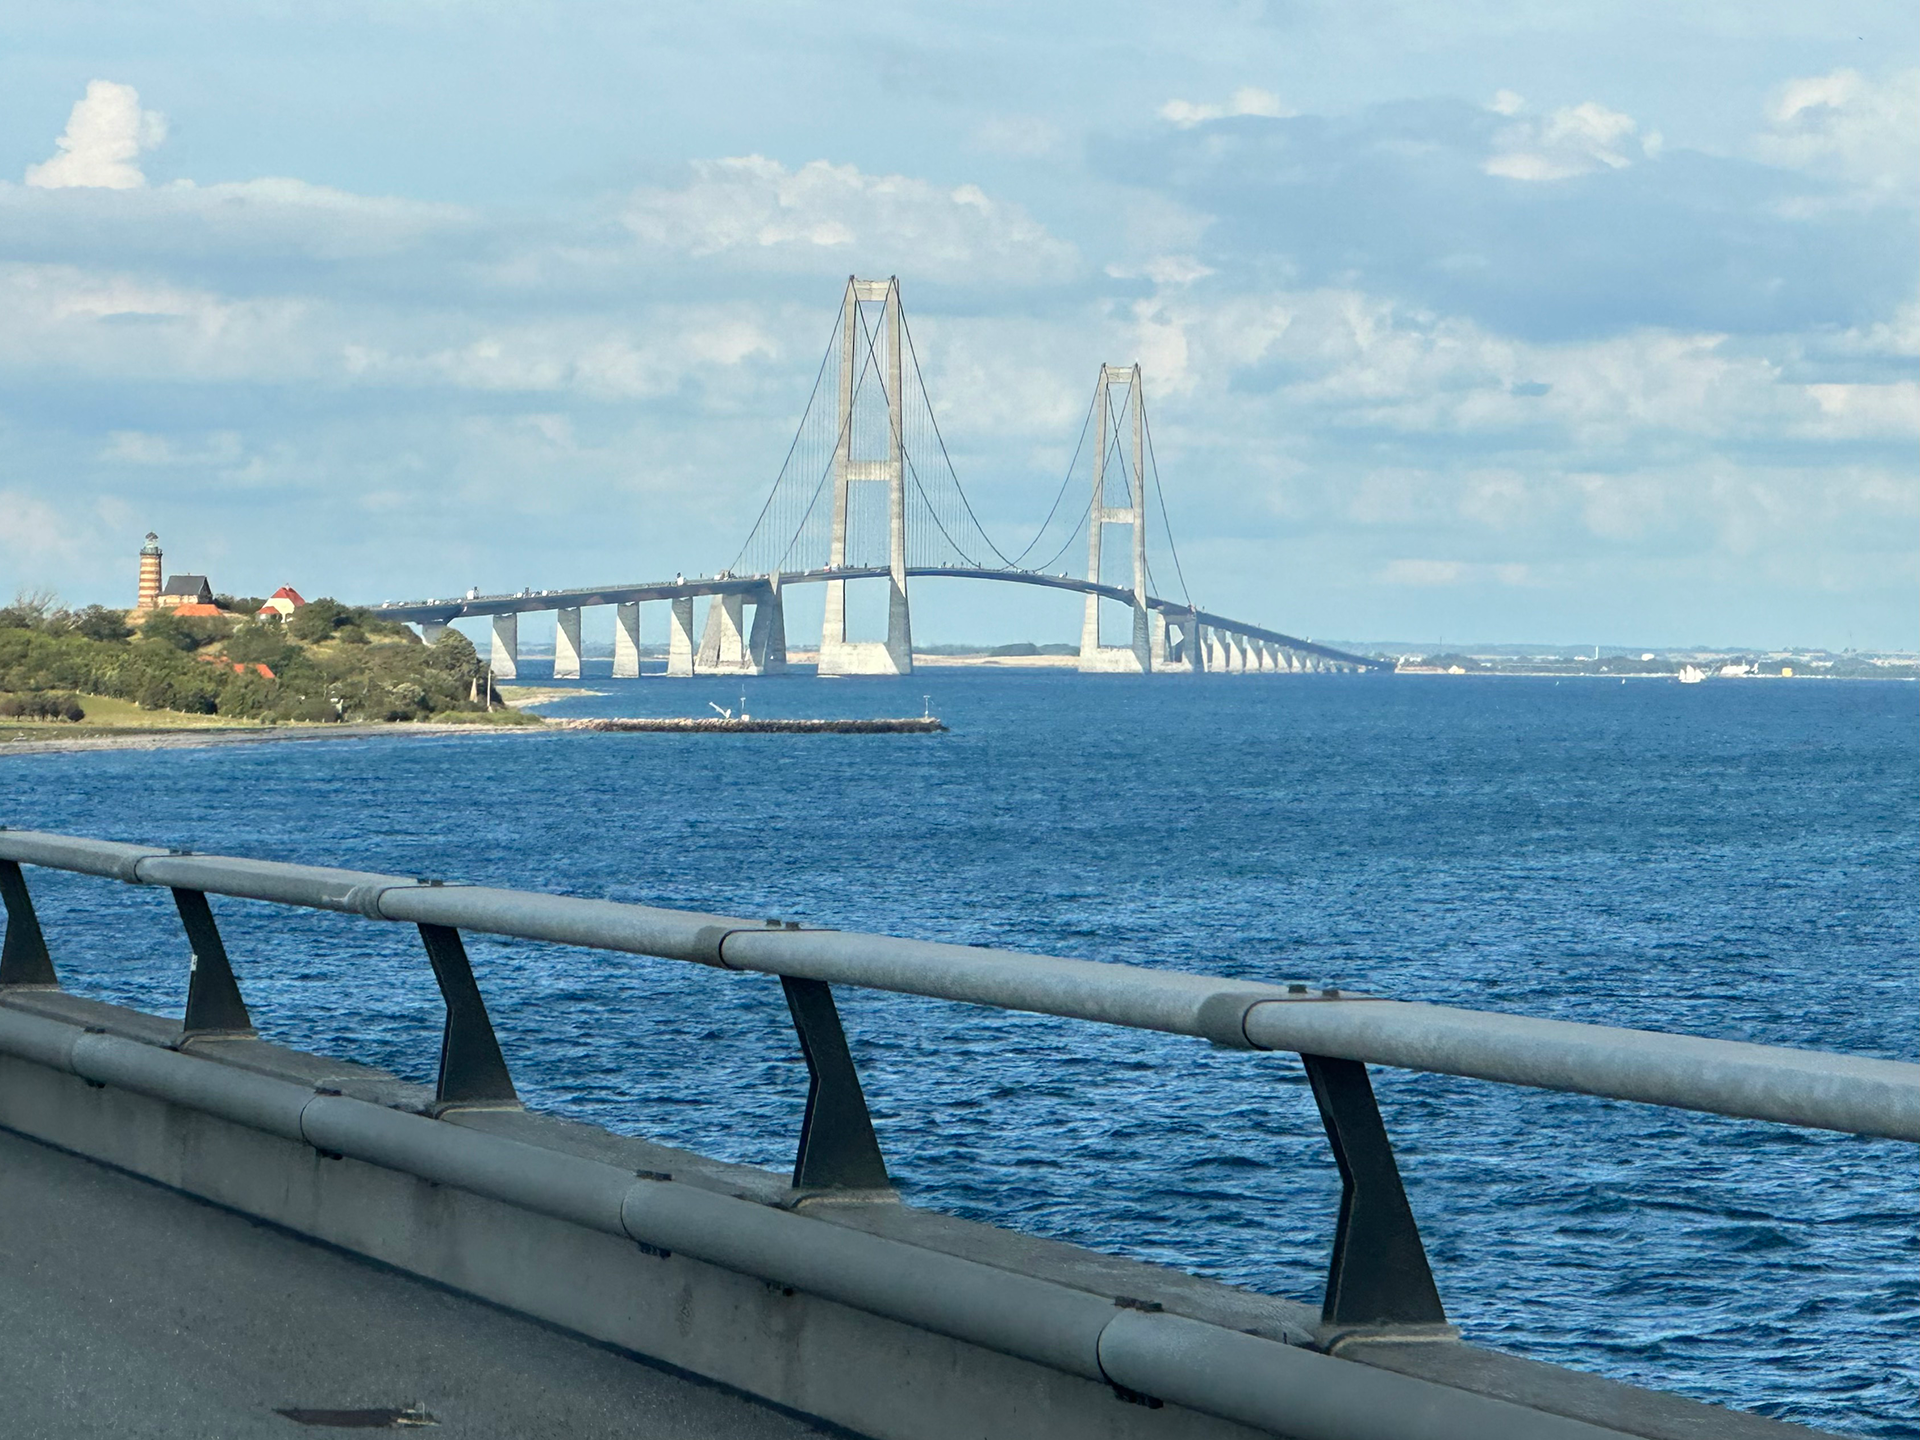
<point>1852,130</point>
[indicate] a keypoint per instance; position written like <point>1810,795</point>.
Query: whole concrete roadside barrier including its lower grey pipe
<point>886,1320</point>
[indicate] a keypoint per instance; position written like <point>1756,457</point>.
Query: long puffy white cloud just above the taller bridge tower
<point>757,210</point>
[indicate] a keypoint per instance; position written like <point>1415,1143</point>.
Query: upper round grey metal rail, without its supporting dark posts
<point>1731,1078</point>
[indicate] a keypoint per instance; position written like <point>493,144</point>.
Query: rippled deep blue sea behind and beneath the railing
<point>1737,859</point>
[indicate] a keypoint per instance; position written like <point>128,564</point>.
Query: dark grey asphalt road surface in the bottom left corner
<point>133,1310</point>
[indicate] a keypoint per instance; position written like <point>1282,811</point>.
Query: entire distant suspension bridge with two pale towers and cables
<point>869,494</point>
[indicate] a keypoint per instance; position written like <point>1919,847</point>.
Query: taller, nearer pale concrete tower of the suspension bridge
<point>896,654</point>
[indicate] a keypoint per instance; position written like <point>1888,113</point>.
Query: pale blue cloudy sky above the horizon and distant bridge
<point>1516,322</point>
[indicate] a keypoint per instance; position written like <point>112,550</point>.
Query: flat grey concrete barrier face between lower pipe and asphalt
<point>821,1358</point>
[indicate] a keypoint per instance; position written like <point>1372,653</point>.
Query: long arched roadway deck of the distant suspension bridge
<point>441,612</point>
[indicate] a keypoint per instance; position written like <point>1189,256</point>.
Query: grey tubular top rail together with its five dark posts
<point>1380,1274</point>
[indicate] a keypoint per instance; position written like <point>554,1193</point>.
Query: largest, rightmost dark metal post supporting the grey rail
<point>1380,1272</point>
